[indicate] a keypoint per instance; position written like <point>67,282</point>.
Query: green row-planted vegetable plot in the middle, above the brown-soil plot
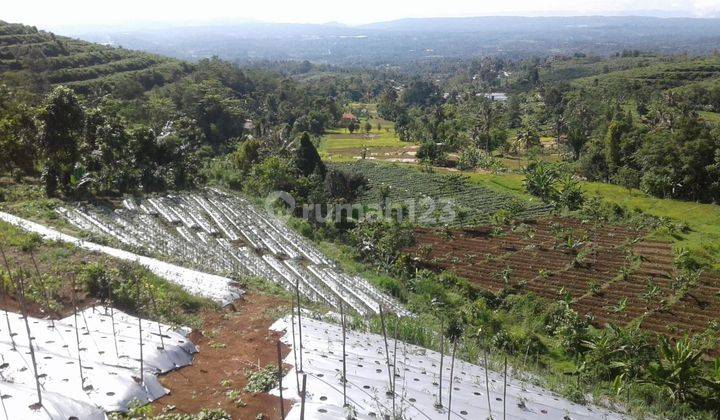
<point>431,192</point>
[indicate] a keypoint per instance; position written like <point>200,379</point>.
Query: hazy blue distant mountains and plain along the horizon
<point>408,40</point>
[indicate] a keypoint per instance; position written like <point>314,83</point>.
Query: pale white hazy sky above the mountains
<point>58,13</point>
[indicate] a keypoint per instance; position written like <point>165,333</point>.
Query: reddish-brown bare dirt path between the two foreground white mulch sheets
<point>232,344</point>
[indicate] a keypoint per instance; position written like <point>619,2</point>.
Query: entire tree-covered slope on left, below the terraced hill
<point>136,140</point>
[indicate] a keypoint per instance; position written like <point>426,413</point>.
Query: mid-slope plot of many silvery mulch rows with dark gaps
<point>223,234</point>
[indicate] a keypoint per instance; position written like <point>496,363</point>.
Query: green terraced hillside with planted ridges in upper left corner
<point>41,59</point>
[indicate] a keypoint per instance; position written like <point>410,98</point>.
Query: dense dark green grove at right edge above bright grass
<point>666,149</point>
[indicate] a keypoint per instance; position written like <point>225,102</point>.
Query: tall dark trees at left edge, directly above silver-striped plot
<point>80,150</point>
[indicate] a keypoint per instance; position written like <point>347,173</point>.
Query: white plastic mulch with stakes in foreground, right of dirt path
<point>416,382</point>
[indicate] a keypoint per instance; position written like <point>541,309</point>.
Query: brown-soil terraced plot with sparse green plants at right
<point>612,273</point>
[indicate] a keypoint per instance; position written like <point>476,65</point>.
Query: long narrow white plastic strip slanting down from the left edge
<point>217,288</point>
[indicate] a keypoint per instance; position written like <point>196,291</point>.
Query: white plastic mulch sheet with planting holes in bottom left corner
<point>110,363</point>
